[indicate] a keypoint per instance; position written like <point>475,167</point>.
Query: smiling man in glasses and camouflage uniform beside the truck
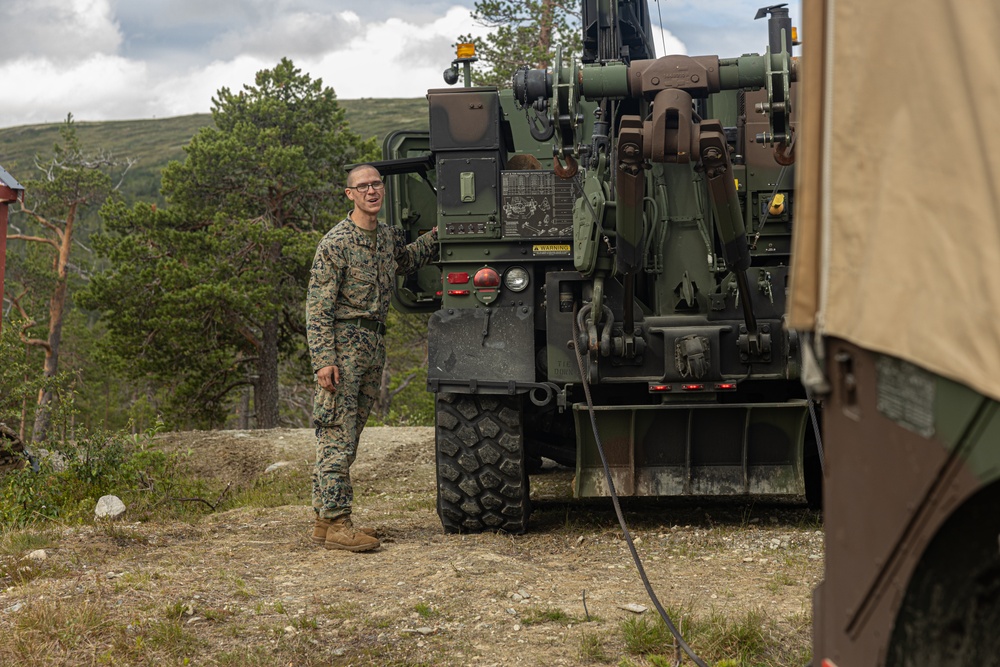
<point>346,307</point>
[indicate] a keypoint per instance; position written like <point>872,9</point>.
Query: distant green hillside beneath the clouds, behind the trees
<point>157,141</point>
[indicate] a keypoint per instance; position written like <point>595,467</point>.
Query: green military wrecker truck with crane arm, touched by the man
<point>615,241</point>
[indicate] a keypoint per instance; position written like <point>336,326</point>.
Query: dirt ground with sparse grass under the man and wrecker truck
<point>246,582</point>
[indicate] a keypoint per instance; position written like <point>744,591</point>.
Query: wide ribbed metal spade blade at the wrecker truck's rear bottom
<point>693,450</point>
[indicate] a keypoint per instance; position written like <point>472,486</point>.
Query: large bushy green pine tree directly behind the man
<point>207,294</point>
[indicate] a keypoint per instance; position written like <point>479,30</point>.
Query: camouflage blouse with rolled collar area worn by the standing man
<point>352,277</point>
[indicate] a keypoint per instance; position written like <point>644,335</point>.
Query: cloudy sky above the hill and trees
<point>125,59</point>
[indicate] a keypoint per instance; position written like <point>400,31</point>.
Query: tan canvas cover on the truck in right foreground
<point>909,184</point>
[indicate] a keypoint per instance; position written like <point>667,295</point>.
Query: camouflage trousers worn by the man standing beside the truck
<point>340,416</point>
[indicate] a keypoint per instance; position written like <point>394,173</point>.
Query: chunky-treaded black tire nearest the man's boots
<point>481,473</point>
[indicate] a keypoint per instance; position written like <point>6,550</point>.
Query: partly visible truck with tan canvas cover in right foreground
<point>894,279</point>
